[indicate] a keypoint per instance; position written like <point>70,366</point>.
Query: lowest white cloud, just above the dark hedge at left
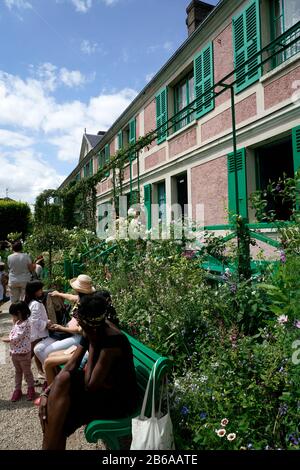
<point>28,174</point>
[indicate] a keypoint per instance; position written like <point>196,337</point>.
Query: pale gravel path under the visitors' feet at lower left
<point>19,423</point>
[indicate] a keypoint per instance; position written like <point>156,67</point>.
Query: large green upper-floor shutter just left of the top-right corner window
<point>246,43</point>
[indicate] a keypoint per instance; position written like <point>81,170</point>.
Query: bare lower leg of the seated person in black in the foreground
<point>57,409</point>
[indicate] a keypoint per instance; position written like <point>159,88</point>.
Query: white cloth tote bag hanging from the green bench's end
<point>156,432</point>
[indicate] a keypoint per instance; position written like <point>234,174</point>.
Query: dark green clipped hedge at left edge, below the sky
<point>15,217</point>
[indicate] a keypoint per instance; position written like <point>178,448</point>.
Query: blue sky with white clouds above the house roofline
<point>66,65</point>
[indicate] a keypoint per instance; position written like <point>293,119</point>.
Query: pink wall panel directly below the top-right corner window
<point>281,89</point>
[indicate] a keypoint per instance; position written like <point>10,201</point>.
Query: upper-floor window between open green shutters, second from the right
<point>184,94</point>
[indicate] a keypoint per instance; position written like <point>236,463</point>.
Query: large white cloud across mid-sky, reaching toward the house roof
<point>28,105</point>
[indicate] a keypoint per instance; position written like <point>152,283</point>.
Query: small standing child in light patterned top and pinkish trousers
<point>20,349</point>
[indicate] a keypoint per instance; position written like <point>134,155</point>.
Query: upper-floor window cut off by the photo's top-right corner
<point>284,14</point>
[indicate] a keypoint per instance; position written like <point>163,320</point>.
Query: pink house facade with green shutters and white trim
<point>191,162</point>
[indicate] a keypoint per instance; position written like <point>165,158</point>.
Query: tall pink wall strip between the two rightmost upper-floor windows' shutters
<point>223,60</point>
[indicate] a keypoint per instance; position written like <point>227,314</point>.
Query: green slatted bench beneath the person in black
<point>110,431</point>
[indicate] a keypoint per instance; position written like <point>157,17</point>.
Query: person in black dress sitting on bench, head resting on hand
<point>106,389</point>
